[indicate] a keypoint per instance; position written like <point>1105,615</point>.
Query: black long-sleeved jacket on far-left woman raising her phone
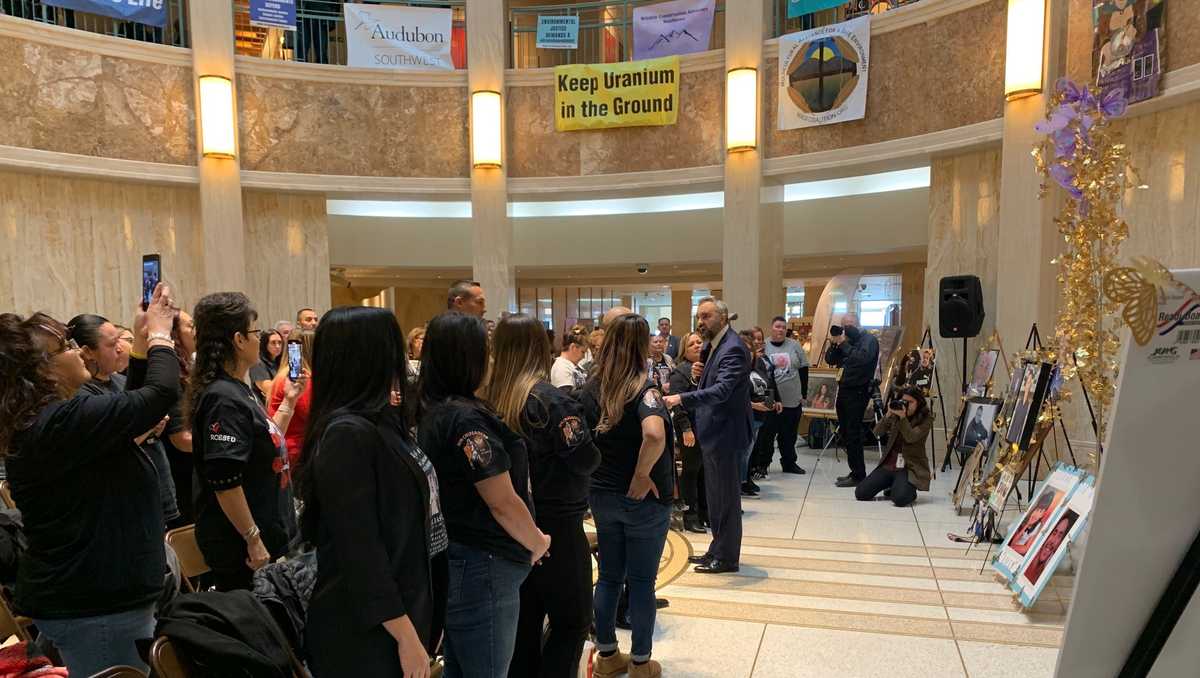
<point>89,499</point>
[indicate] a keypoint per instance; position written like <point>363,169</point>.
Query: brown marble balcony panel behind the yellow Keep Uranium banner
<point>537,149</point>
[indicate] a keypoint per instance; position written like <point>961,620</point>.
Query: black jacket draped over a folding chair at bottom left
<point>226,634</point>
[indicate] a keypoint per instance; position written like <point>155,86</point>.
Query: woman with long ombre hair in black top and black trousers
<point>562,458</point>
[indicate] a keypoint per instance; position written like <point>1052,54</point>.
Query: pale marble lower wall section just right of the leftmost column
<point>287,254</point>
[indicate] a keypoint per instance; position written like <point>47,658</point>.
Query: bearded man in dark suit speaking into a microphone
<point>721,409</point>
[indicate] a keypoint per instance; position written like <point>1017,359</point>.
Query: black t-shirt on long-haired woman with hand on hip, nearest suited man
<point>621,445</point>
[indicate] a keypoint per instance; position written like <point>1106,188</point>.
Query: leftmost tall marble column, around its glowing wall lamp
<point>211,25</point>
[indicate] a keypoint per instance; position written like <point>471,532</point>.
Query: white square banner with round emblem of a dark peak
<point>823,75</point>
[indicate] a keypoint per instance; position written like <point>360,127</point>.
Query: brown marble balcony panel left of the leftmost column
<point>67,100</point>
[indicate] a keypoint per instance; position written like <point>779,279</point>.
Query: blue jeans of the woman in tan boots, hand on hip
<point>631,537</point>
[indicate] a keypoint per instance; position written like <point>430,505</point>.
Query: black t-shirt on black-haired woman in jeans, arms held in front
<point>467,445</point>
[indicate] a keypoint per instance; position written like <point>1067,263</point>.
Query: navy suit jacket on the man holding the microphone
<point>721,405</point>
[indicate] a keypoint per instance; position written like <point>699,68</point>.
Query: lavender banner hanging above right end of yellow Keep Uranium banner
<point>681,27</point>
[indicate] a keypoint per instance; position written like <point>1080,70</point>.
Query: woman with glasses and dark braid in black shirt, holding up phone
<point>244,514</point>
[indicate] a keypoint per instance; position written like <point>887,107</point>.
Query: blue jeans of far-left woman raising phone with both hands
<point>89,645</point>
